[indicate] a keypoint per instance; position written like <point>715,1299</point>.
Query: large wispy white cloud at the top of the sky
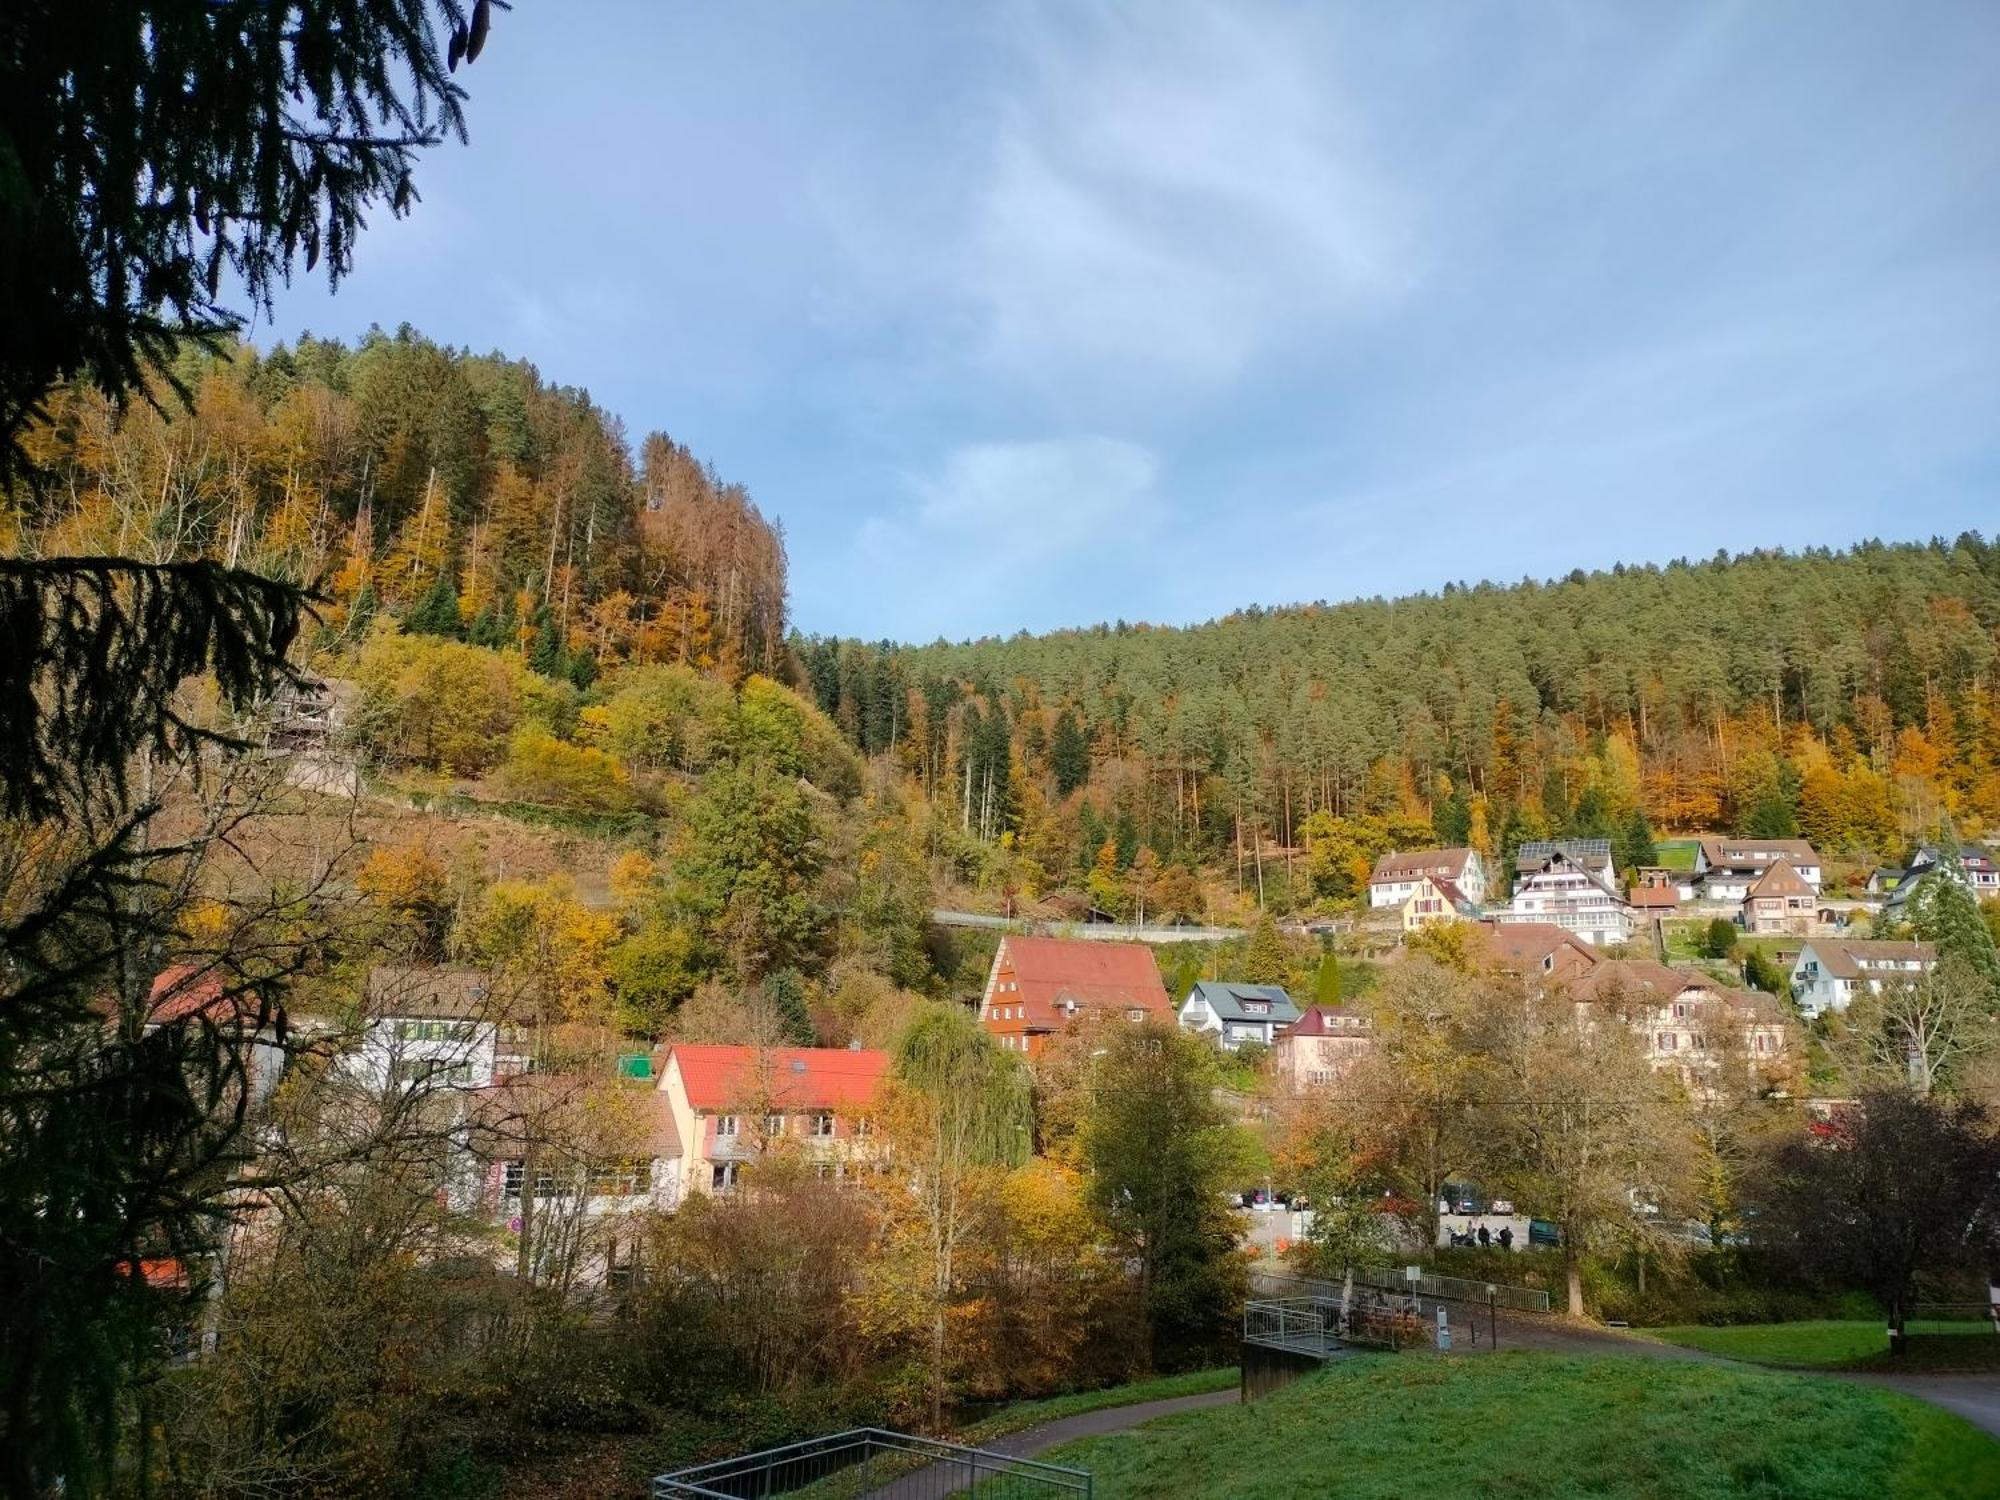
<point>1169,193</point>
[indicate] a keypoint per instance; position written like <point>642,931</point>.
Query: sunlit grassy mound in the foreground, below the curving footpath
<point>1523,1427</point>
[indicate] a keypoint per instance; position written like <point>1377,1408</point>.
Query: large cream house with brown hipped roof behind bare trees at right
<point>1689,1023</point>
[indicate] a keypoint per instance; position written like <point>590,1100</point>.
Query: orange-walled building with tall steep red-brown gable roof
<point>1041,985</point>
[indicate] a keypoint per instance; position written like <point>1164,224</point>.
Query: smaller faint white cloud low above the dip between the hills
<point>997,521</point>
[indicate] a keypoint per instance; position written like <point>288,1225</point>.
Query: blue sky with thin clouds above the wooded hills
<point>1025,317</point>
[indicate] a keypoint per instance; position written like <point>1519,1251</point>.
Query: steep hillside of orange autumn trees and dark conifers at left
<point>407,477</point>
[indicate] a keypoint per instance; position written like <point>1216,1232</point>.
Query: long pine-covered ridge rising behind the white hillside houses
<point>1843,695</point>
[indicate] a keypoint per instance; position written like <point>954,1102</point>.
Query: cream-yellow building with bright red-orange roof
<point>733,1105</point>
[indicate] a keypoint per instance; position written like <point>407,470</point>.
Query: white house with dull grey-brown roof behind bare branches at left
<point>441,1027</point>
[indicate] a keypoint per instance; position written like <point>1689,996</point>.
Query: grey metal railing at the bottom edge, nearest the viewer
<point>871,1461</point>
